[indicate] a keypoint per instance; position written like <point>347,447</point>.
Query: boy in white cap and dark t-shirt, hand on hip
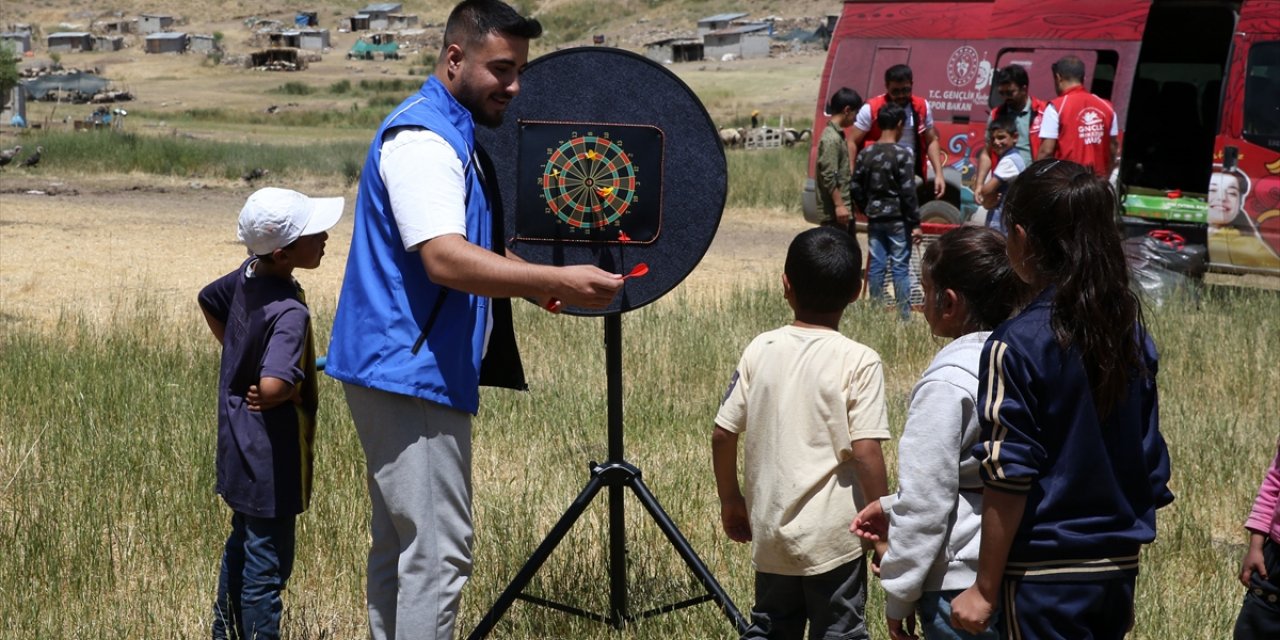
<point>267,403</point>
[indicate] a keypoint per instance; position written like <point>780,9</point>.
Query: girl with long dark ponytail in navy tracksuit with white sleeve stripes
<point>1072,458</point>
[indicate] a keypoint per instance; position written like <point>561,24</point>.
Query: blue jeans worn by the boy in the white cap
<point>257,565</point>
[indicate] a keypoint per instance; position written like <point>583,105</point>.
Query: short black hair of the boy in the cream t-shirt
<point>825,268</point>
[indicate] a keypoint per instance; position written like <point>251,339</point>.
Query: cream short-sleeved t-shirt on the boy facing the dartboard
<point>801,397</point>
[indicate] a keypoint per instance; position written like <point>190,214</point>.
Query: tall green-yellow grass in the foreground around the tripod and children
<point>109,527</point>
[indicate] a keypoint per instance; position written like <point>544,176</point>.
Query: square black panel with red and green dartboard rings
<point>589,182</point>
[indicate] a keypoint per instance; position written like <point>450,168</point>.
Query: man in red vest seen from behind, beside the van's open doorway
<point>1080,126</point>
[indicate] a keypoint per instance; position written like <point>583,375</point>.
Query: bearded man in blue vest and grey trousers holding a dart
<point>424,317</point>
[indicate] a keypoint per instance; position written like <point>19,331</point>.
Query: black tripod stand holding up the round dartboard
<point>616,474</point>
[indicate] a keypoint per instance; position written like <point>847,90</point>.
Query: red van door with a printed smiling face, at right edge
<point>1245,189</point>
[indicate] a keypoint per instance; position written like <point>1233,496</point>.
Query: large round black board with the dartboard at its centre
<point>609,170</point>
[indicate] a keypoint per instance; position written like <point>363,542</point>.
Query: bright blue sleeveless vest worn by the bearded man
<point>387,298</point>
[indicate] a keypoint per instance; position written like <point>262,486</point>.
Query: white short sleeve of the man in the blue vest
<point>424,209</point>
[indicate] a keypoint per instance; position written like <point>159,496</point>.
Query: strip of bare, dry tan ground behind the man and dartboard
<point>97,249</point>
